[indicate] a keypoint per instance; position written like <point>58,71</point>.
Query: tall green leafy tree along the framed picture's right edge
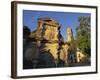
<point>83,34</point>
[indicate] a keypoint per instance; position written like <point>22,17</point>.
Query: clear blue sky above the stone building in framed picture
<point>65,19</point>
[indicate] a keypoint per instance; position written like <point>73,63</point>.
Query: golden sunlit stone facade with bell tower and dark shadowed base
<point>47,47</point>
